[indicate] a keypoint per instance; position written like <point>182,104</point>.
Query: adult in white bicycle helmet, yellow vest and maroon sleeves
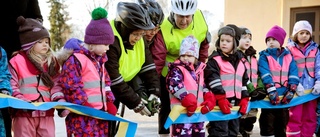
<point>184,19</point>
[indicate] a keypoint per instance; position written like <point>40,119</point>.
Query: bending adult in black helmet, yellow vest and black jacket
<point>130,62</point>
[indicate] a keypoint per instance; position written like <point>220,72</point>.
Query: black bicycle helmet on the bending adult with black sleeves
<point>133,16</point>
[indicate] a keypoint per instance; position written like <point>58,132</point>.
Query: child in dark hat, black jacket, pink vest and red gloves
<point>226,77</point>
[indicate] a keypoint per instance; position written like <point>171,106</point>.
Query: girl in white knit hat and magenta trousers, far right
<point>302,121</point>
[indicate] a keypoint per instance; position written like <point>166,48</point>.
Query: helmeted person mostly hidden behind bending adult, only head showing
<point>156,15</point>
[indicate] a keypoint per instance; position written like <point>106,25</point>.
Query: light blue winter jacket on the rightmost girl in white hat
<point>305,79</point>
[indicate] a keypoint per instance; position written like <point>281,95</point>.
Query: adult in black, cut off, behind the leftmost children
<point>9,37</point>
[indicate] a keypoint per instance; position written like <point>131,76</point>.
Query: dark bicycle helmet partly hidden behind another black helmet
<point>154,10</point>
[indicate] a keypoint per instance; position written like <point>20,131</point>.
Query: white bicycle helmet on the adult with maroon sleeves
<point>184,7</point>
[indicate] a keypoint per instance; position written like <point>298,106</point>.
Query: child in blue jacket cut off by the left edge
<point>5,87</point>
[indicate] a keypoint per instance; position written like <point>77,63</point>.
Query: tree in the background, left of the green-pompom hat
<point>59,31</point>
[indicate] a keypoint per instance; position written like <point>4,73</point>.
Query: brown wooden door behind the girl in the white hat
<point>311,14</point>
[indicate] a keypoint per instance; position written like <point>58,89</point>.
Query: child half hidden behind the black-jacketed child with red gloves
<point>256,87</point>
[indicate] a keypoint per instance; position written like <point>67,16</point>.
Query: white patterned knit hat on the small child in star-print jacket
<point>190,44</point>
